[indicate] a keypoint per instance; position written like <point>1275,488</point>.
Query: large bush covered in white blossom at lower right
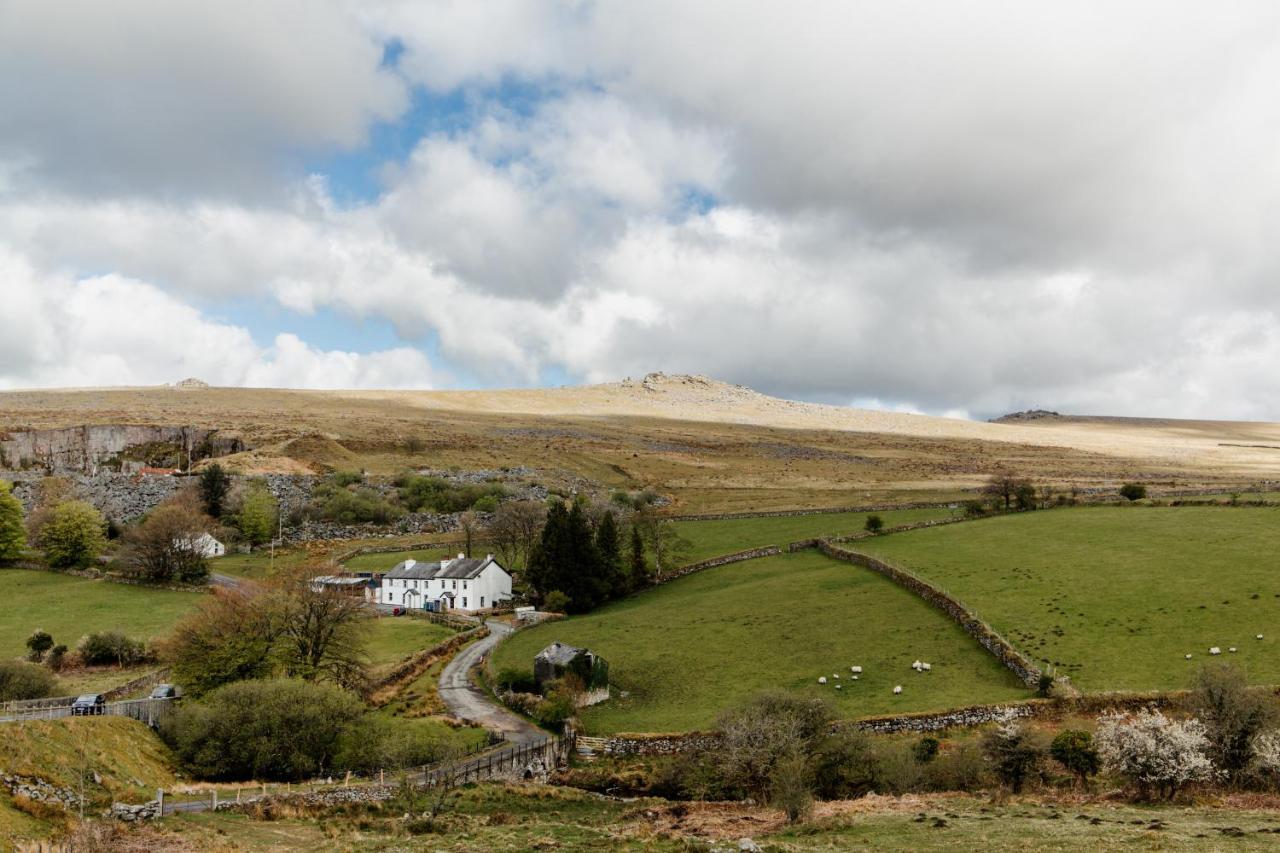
<point>1158,754</point>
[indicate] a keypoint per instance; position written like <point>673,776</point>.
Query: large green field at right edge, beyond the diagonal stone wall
<point>1116,597</point>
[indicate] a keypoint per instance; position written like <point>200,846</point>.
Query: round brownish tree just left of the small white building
<point>166,546</point>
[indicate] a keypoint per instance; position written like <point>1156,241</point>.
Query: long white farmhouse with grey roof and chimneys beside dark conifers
<point>461,585</point>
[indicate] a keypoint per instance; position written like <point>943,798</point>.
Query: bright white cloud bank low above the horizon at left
<point>112,331</point>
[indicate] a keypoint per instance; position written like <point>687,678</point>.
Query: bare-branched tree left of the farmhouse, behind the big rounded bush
<point>323,633</point>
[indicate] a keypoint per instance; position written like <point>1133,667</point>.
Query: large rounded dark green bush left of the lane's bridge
<point>284,731</point>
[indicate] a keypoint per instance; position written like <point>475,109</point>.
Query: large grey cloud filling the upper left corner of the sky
<point>156,97</point>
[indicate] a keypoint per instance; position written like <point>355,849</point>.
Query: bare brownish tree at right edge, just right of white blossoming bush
<point>1235,715</point>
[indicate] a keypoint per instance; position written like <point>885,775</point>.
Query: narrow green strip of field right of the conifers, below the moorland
<point>728,536</point>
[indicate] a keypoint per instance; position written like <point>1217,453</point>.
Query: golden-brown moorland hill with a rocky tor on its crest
<point>710,445</point>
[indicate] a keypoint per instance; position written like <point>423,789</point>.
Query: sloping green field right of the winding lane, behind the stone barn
<point>691,649</point>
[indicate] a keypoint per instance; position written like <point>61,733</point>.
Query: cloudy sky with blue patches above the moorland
<point>961,209</point>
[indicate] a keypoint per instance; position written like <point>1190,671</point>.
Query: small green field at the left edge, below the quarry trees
<point>70,608</point>
